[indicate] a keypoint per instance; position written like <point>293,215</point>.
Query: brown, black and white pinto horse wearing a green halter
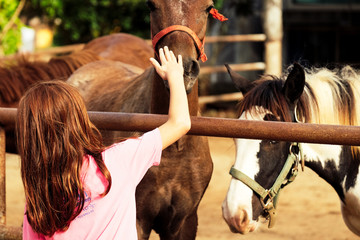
<point>316,95</point>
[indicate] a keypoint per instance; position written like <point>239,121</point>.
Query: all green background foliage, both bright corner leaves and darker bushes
<point>79,21</point>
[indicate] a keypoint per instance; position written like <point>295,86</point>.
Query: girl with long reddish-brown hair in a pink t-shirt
<point>74,187</point>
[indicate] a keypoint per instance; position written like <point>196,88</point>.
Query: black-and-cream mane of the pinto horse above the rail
<point>329,97</point>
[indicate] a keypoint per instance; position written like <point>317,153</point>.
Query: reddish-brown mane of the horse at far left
<point>16,76</point>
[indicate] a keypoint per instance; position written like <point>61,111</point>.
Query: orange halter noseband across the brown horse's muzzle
<point>198,43</point>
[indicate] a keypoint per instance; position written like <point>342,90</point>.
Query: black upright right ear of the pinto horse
<point>294,84</point>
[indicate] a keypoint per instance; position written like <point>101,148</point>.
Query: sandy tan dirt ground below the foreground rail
<point>308,209</point>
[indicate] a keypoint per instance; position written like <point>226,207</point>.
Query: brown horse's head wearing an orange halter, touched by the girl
<point>189,13</point>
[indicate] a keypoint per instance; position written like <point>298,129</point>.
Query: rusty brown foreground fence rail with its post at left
<point>219,127</point>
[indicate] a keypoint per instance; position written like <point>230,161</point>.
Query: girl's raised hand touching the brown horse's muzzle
<point>169,64</point>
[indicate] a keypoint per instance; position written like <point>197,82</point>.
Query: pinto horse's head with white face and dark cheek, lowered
<point>261,160</point>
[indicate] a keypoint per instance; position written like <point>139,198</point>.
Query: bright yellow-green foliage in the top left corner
<point>9,41</point>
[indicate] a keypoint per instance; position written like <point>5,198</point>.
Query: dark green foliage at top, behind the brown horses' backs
<point>84,20</point>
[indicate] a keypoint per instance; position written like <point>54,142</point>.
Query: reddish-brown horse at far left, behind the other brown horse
<point>17,75</point>
